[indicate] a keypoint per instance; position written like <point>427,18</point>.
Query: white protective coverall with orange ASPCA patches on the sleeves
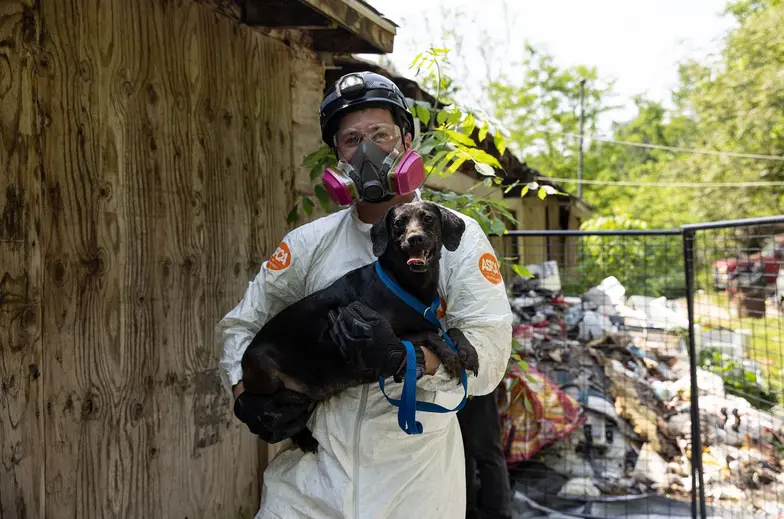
<point>366,466</point>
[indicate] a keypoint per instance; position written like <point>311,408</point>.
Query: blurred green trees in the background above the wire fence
<point>732,101</point>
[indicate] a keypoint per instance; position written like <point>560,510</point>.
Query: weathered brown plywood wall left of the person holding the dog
<point>146,173</point>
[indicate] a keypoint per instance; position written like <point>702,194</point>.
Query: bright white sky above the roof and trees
<point>637,43</point>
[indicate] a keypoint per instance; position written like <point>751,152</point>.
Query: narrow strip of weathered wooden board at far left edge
<point>21,386</point>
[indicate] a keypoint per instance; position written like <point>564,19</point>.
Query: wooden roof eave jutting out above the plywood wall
<point>360,29</point>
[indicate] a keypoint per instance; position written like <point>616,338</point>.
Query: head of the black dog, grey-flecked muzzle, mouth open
<point>414,233</point>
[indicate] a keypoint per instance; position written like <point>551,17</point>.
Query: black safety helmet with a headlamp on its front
<point>362,90</point>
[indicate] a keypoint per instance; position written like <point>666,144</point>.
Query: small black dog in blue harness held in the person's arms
<point>294,349</point>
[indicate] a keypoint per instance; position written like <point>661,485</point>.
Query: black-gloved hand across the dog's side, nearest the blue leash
<point>368,343</point>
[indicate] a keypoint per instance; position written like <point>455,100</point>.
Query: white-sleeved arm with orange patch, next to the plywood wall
<point>279,283</point>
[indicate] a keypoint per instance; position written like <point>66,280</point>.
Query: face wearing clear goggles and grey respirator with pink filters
<point>373,174</point>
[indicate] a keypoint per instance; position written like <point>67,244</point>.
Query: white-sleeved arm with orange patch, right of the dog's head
<point>477,304</point>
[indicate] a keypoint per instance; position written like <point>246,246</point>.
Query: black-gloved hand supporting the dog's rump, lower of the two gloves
<point>273,417</point>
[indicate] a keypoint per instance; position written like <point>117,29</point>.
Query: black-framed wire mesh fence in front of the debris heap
<point>625,341</point>
